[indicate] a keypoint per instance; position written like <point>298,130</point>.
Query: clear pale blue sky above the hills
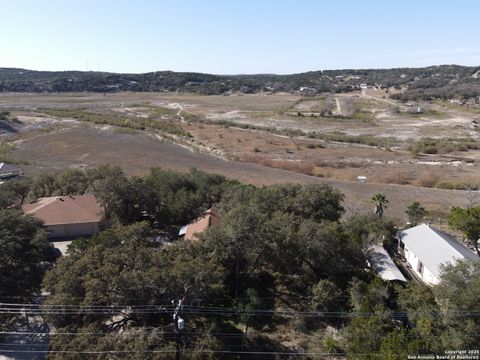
<point>237,36</point>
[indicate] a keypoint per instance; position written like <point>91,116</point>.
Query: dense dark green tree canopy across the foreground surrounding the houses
<point>283,261</point>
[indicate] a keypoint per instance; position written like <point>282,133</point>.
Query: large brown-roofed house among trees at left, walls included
<point>67,216</point>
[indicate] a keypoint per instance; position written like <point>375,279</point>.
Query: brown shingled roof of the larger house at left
<point>59,210</point>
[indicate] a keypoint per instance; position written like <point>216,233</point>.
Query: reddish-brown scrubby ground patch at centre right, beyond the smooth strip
<point>333,160</point>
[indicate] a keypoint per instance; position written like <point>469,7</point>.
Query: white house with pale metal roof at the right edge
<point>426,249</point>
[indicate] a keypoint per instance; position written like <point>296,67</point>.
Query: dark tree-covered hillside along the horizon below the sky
<point>446,81</point>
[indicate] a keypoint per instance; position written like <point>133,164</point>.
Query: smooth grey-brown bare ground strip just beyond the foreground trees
<point>90,146</point>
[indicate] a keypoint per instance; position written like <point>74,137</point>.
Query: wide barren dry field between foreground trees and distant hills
<point>259,139</point>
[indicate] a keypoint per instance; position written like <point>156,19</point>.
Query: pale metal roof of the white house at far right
<point>434,247</point>
